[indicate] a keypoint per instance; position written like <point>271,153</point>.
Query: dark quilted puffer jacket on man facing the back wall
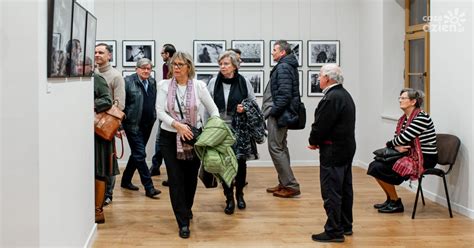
<point>284,81</point>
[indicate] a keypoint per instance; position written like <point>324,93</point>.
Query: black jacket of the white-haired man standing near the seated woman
<point>333,127</point>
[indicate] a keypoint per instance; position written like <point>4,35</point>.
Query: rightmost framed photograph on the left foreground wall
<point>91,30</point>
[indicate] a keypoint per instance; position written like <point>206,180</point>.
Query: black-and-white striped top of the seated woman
<point>421,126</point>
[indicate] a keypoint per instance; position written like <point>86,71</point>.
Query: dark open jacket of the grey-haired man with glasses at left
<point>134,101</point>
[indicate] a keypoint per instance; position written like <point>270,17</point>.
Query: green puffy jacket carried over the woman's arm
<point>214,148</point>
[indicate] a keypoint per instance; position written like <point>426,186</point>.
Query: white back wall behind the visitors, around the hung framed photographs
<point>182,21</point>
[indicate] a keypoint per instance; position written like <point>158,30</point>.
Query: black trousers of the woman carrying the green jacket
<point>182,178</point>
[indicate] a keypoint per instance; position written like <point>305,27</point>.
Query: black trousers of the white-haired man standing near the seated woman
<point>337,194</point>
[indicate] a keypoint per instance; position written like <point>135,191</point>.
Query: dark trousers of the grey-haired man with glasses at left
<point>137,160</point>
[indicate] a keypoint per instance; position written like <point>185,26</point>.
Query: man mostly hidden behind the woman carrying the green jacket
<point>167,52</point>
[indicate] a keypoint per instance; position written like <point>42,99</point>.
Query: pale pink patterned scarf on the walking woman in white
<point>183,151</point>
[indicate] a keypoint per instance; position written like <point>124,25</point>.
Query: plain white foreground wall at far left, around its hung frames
<point>47,158</point>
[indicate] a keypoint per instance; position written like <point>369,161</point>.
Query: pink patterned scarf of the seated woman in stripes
<point>412,164</point>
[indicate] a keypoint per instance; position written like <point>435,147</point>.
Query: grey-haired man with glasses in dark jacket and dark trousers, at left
<point>140,89</point>
